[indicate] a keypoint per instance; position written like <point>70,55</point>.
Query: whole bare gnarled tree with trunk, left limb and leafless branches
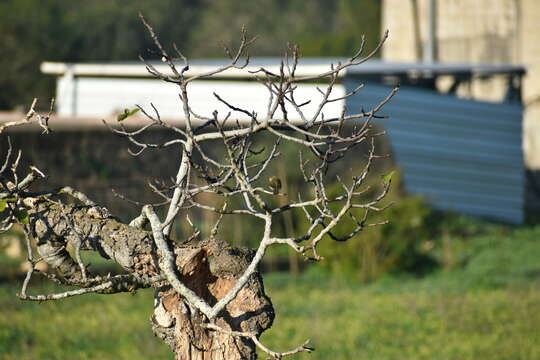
<point>209,301</point>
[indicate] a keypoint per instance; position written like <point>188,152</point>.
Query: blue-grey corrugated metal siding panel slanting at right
<point>461,155</point>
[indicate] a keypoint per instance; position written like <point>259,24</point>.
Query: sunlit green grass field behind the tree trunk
<point>487,308</point>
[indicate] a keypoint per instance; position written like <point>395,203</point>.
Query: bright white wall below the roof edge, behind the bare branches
<point>99,97</point>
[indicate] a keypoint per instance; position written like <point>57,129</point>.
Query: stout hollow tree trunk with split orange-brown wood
<point>210,269</point>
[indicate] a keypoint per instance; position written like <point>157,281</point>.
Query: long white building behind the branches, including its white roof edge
<point>97,90</point>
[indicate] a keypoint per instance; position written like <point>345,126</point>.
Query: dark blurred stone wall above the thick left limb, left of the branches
<point>95,162</point>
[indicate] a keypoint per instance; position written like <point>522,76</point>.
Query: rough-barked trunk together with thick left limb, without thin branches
<point>208,267</point>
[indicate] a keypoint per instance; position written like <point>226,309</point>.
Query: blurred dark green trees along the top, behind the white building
<point>32,31</point>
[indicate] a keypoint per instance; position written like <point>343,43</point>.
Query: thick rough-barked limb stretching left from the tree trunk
<point>55,225</point>
